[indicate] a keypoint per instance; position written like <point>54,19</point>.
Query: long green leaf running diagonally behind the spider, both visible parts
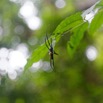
<point>70,22</point>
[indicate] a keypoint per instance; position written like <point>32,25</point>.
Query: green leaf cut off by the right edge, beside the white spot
<point>97,22</point>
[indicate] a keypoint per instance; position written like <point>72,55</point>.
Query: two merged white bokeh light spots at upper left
<point>29,13</point>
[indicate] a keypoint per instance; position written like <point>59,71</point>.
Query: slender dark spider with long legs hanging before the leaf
<point>51,50</point>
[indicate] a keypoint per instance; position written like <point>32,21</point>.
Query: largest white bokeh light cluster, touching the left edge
<point>12,62</point>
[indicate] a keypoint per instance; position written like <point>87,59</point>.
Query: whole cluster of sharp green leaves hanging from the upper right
<point>77,26</point>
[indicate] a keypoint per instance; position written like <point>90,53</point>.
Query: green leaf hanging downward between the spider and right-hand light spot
<point>76,38</point>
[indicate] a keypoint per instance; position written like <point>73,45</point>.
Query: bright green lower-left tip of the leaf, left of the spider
<point>38,54</point>
